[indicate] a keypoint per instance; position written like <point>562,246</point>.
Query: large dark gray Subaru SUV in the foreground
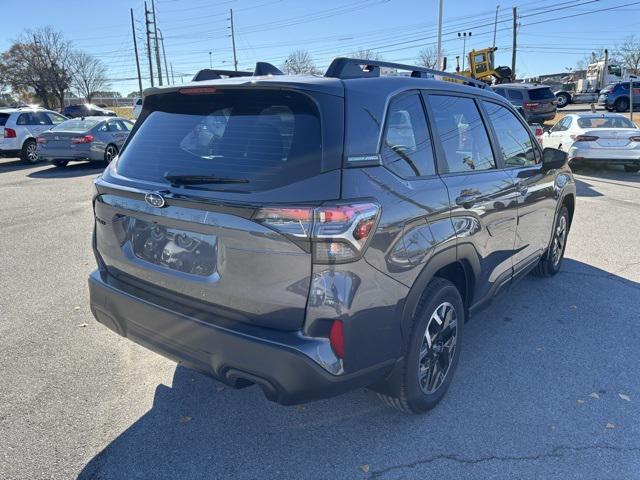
<point>312,235</point>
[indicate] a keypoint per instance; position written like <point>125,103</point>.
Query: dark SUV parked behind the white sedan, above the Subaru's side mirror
<point>538,102</point>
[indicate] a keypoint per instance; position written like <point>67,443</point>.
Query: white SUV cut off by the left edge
<point>19,128</point>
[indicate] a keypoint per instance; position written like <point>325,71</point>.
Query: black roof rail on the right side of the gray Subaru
<point>345,68</point>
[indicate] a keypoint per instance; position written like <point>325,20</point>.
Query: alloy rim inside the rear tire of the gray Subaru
<point>438,347</point>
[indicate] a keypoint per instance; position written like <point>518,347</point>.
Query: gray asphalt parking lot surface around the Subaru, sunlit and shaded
<point>548,384</point>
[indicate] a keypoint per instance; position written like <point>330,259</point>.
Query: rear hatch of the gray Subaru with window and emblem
<point>210,200</point>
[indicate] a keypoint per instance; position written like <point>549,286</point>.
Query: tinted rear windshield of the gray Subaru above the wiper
<point>263,138</point>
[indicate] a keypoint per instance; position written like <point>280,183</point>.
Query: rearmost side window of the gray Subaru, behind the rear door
<point>406,147</point>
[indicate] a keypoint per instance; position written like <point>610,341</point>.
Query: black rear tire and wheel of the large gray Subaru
<point>412,396</point>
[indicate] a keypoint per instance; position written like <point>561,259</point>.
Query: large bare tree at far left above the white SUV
<point>39,63</point>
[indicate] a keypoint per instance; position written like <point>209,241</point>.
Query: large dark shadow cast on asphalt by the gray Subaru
<point>534,351</point>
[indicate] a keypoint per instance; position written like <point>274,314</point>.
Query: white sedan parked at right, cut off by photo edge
<point>597,139</point>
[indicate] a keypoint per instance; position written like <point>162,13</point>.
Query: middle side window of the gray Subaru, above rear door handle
<point>462,134</point>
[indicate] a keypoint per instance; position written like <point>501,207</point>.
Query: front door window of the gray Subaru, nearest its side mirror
<point>516,144</point>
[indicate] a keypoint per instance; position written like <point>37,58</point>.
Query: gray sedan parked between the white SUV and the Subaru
<point>94,139</point>
